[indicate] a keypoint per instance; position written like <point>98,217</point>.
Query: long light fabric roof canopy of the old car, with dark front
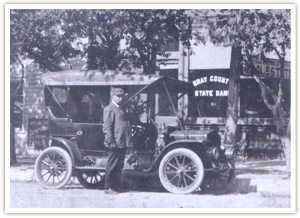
<point>151,83</point>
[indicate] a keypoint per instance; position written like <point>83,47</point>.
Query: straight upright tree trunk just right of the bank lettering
<point>233,98</point>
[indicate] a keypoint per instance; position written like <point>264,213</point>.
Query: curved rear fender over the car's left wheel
<point>70,146</point>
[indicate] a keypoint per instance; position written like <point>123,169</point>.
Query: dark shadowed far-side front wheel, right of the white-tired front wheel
<point>217,179</point>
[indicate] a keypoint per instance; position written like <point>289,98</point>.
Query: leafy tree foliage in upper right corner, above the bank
<point>256,30</point>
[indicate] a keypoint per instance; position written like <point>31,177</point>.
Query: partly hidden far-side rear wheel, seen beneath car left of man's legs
<point>91,179</point>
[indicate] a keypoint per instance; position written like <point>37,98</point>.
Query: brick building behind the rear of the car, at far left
<point>29,109</point>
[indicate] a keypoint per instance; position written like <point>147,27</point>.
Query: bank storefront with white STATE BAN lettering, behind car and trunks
<point>208,68</point>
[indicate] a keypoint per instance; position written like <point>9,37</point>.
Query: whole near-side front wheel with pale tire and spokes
<point>181,171</point>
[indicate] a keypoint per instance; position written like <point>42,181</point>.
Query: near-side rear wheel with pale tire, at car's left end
<point>53,168</point>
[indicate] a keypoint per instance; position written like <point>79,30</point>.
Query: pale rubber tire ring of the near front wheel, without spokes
<point>197,161</point>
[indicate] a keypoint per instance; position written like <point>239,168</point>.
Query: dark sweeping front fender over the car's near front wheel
<point>194,145</point>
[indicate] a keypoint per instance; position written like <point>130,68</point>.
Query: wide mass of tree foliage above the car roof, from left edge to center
<point>115,39</point>
